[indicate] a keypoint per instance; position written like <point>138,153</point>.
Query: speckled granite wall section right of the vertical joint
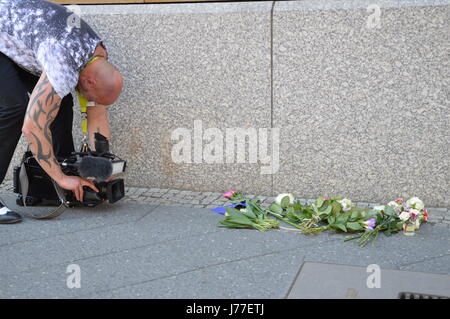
<point>364,111</point>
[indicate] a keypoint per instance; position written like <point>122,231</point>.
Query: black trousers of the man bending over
<point>15,84</point>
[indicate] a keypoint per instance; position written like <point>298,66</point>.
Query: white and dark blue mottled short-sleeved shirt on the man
<point>41,36</point>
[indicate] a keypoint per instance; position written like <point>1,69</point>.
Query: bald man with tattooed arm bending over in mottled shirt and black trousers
<point>43,59</point>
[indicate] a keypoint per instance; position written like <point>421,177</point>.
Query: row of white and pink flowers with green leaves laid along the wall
<point>326,213</point>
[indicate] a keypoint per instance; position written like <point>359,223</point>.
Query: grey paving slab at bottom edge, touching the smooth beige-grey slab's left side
<point>245,278</point>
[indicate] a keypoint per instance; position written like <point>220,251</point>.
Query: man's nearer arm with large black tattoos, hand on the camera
<point>42,110</point>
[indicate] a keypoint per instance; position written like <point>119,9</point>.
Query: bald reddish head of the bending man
<point>101,82</point>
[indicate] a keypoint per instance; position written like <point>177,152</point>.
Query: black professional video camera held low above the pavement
<point>99,164</point>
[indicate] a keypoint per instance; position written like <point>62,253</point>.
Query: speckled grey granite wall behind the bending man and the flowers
<point>333,97</point>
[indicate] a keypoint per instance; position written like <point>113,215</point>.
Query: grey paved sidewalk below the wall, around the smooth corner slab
<point>144,250</point>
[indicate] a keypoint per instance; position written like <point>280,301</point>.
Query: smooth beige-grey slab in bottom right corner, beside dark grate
<point>342,281</point>
